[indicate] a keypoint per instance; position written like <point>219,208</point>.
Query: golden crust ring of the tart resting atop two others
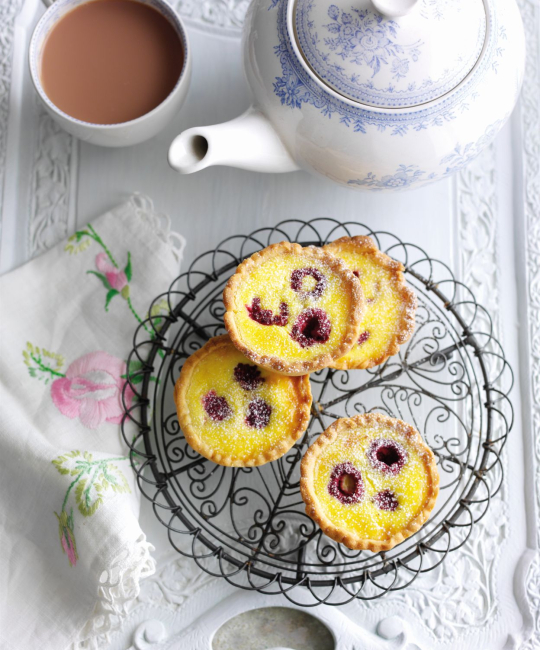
<point>276,363</point>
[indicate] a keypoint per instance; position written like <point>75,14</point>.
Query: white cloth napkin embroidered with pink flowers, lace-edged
<point>72,551</point>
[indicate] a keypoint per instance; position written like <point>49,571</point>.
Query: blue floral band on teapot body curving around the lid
<point>295,88</point>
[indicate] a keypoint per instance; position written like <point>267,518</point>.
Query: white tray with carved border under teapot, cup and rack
<point>484,222</point>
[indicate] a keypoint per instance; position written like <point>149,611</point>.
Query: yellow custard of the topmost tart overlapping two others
<point>271,284</point>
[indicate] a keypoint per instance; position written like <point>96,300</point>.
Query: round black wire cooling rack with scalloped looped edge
<point>248,525</point>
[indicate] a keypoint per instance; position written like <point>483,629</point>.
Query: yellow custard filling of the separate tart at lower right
<point>410,487</point>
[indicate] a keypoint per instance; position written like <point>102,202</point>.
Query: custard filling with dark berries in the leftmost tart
<point>220,420</point>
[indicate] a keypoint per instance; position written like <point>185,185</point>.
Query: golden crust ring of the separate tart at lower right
<point>340,534</point>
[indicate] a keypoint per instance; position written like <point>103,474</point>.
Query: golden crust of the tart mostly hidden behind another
<point>365,246</point>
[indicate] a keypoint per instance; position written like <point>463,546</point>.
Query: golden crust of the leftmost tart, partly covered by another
<point>302,398</point>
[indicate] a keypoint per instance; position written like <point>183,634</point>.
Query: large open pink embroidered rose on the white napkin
<point>92,390</point>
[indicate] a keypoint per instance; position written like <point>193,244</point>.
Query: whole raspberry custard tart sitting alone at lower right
<point>369,481</point>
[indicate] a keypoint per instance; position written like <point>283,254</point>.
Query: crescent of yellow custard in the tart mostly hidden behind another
<point>383,306</point>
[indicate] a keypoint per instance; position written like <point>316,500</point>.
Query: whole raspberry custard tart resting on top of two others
<point>293,310</point>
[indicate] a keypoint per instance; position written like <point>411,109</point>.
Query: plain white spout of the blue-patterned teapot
<point>247,142</point>
